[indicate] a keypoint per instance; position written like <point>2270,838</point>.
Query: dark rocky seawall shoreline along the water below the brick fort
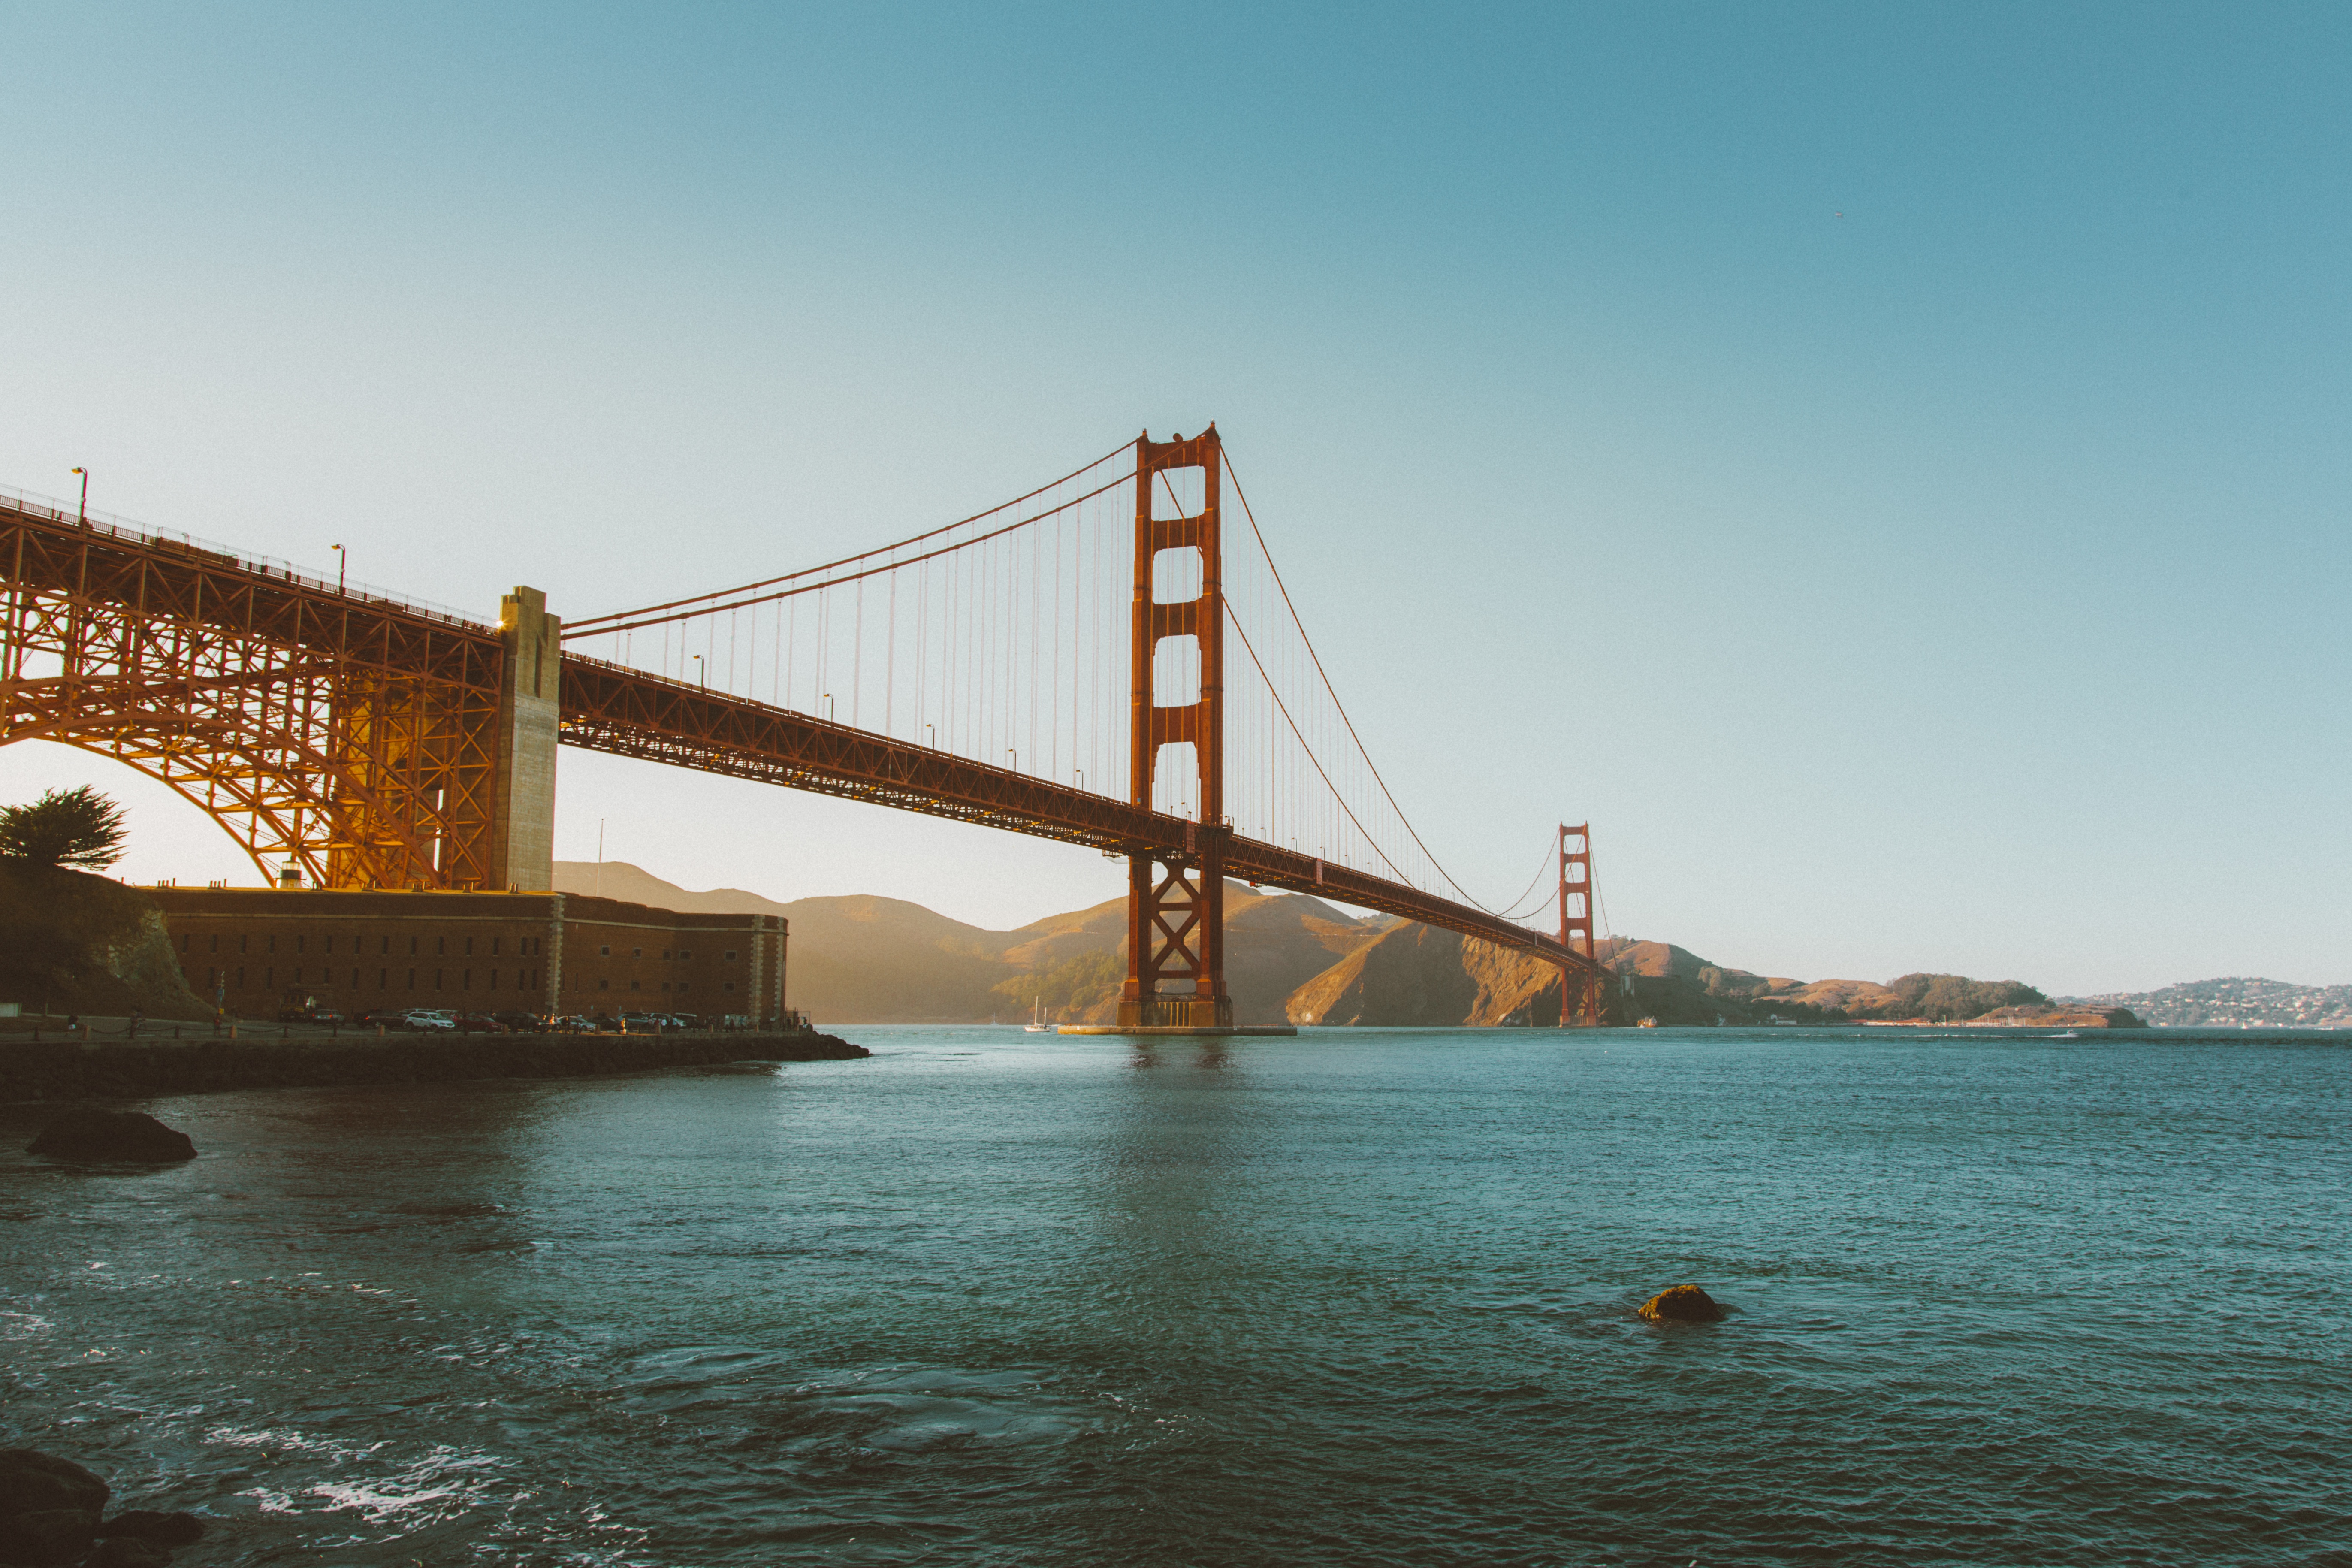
<point>128,1071</point>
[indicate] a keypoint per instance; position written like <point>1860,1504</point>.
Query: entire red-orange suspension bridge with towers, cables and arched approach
<point>1102,662</point>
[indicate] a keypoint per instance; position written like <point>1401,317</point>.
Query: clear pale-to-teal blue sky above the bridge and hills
<point>1883,464</point>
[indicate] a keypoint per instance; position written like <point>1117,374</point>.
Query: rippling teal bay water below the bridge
<point>1363,1296</point>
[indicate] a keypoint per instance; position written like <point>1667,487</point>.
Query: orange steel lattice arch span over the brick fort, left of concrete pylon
<point>345,735</point>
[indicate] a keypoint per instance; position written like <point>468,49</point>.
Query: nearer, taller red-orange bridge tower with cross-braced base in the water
<point>1177,899</point>
